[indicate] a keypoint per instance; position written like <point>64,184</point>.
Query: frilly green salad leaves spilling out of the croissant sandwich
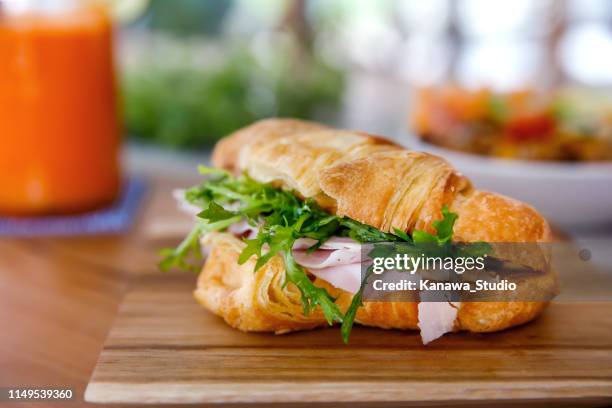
<point>282,218</point>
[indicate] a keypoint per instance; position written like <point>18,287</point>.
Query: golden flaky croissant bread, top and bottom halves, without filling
<point>374,182</point>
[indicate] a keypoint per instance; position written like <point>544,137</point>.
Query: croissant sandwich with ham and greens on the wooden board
<point>282,215</point>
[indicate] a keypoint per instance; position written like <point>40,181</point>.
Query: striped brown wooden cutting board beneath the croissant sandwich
<point>164,348</point>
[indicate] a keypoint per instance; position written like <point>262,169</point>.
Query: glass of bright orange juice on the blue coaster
<point>59,129</point>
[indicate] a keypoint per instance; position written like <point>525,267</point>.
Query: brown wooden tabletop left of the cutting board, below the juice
<point>59,296</point>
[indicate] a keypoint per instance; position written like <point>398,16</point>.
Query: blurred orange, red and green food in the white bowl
<point>564,125</point>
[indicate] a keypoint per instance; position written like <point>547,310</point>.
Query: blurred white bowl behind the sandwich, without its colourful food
<point>568,194</point>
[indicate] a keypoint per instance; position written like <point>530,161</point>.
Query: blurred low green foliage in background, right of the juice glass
<point>185,106</point>
